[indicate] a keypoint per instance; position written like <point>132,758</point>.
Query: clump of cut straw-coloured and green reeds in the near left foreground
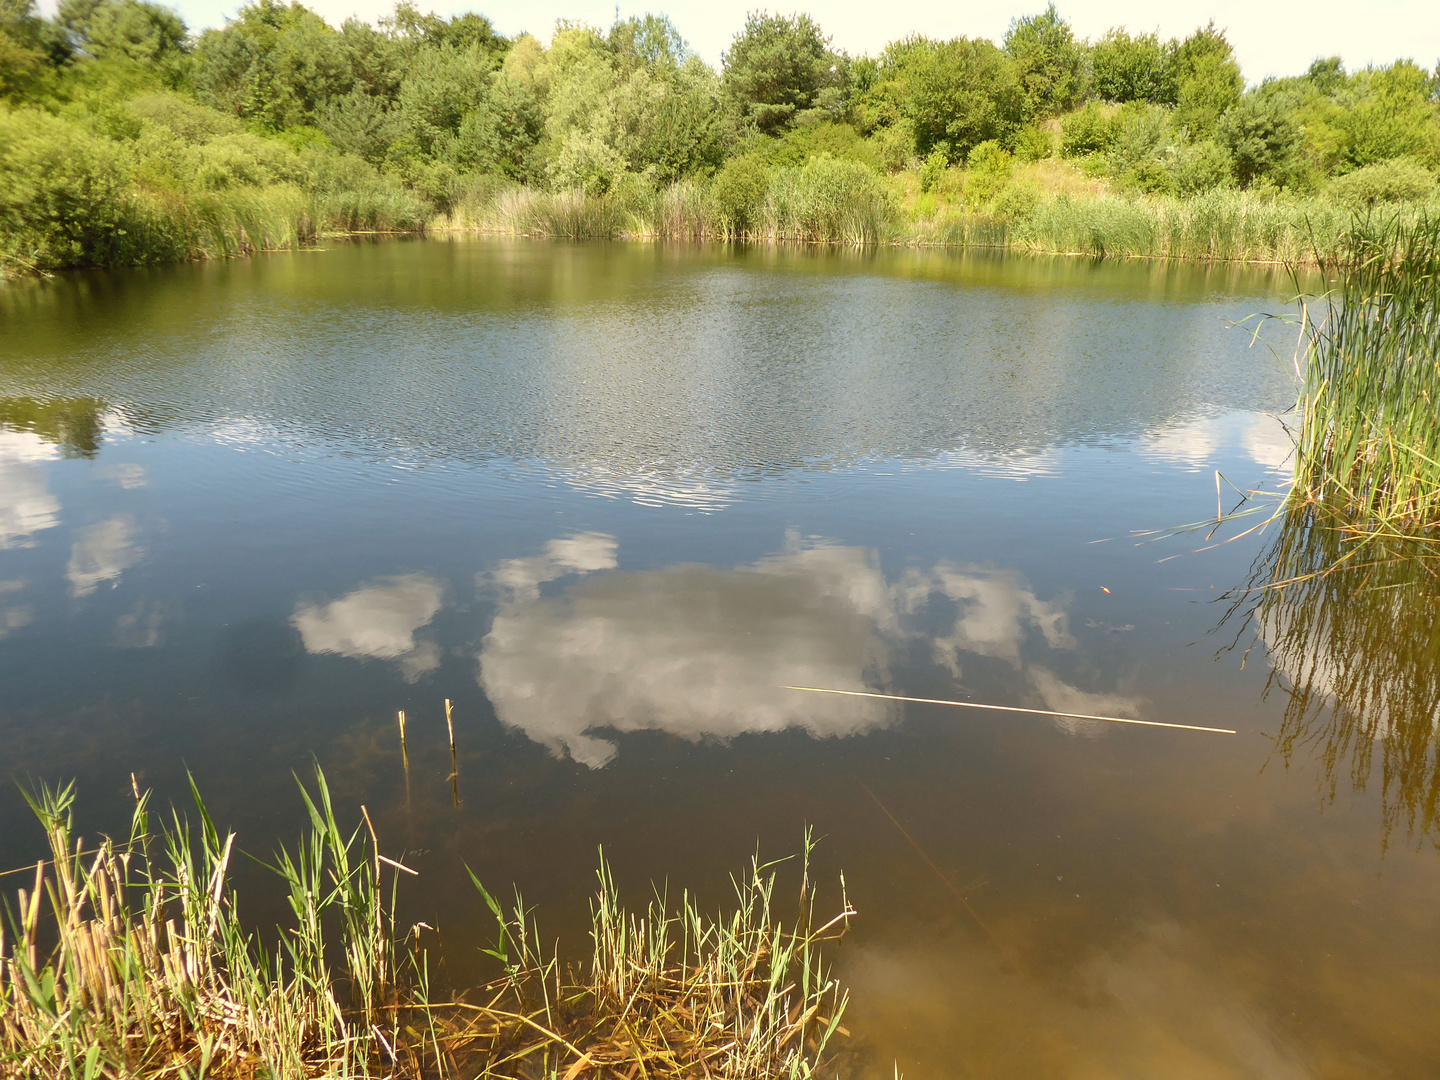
<point>130,960</point>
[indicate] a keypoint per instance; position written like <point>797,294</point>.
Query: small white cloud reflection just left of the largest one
<point>379,621</point>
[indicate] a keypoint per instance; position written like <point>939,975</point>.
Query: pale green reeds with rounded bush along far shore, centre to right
<point>846,204</point>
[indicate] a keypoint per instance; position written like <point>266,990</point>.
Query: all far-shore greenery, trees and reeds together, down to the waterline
<point>127,140</point>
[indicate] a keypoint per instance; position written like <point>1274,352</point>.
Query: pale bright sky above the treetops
<point>1269,37</point>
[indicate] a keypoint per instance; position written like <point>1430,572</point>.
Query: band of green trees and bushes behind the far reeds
<point>420,110</point>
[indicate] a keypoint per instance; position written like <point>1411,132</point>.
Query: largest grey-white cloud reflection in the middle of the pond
<point>708,653</point>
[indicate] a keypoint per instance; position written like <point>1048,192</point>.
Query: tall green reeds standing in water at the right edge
<point>1370,440</point>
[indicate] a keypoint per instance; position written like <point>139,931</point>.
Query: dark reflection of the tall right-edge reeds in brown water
<point>1353,627</point>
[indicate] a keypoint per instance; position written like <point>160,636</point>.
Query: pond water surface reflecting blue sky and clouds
<point>611,500</point>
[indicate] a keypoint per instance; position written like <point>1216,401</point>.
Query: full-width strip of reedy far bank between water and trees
<point>1220,227</point>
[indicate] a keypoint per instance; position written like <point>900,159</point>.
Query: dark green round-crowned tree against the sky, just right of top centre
<point>781,71</point>
